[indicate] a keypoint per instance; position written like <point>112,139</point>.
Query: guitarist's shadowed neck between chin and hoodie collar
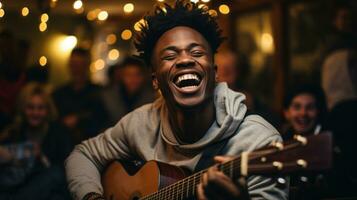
<point>190,125</point>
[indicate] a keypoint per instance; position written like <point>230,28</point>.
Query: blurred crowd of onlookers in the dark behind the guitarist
<point>40,124</point>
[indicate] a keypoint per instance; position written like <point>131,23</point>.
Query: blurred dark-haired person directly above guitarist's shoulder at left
<point>129,88</point>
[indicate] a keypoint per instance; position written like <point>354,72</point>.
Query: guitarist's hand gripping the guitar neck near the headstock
<point>217,185</point>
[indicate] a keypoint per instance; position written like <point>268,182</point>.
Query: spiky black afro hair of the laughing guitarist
<point>183,13</point>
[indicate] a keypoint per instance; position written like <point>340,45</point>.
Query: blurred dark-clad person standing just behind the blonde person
<point>79,103</point>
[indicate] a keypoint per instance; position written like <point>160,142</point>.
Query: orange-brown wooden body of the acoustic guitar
<point>132,181</point>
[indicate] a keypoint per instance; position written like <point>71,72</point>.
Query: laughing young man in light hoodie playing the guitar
<point>194,114</point>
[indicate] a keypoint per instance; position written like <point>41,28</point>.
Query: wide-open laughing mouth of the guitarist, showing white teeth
<point>188,81</point>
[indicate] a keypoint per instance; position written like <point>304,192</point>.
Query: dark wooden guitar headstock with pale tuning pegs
<point>312,153</point>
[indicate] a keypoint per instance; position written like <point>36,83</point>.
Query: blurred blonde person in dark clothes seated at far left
<point>33,149</point>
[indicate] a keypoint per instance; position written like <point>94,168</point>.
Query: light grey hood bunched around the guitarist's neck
<point>230,112</point>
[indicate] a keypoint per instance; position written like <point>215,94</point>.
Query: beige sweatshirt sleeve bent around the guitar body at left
<point>88,159</point>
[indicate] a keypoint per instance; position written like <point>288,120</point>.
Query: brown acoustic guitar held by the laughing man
<point>157,180</point>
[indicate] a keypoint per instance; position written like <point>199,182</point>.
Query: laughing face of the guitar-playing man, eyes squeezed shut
<point>184,69</point>
